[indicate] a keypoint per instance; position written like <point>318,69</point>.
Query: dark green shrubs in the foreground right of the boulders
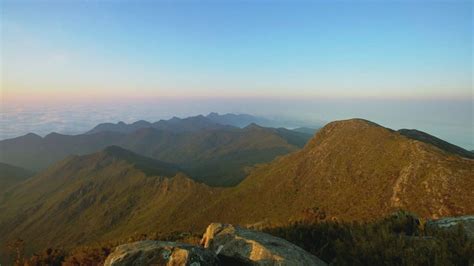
<point>399,239</point>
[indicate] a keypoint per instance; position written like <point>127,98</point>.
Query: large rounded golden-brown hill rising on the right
<point>354,169</point>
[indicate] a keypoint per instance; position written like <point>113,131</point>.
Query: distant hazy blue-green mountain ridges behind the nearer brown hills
<point>209,152</point>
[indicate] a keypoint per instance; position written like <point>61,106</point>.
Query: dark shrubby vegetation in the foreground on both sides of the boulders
<point>398,239</point>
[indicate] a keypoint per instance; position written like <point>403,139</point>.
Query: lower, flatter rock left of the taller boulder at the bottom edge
<point>160,253</point>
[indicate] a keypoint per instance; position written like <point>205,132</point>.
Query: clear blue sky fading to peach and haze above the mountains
<point>402,63</point>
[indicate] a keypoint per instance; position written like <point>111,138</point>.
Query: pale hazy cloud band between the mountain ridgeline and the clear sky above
<point>448,120</point>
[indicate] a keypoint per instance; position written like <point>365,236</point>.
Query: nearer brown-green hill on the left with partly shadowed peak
<point>98,196</point>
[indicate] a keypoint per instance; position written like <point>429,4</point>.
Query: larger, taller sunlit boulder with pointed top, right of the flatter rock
<point>237,244</point>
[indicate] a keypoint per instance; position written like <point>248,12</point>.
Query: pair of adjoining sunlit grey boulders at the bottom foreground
<point>223,244</point>
